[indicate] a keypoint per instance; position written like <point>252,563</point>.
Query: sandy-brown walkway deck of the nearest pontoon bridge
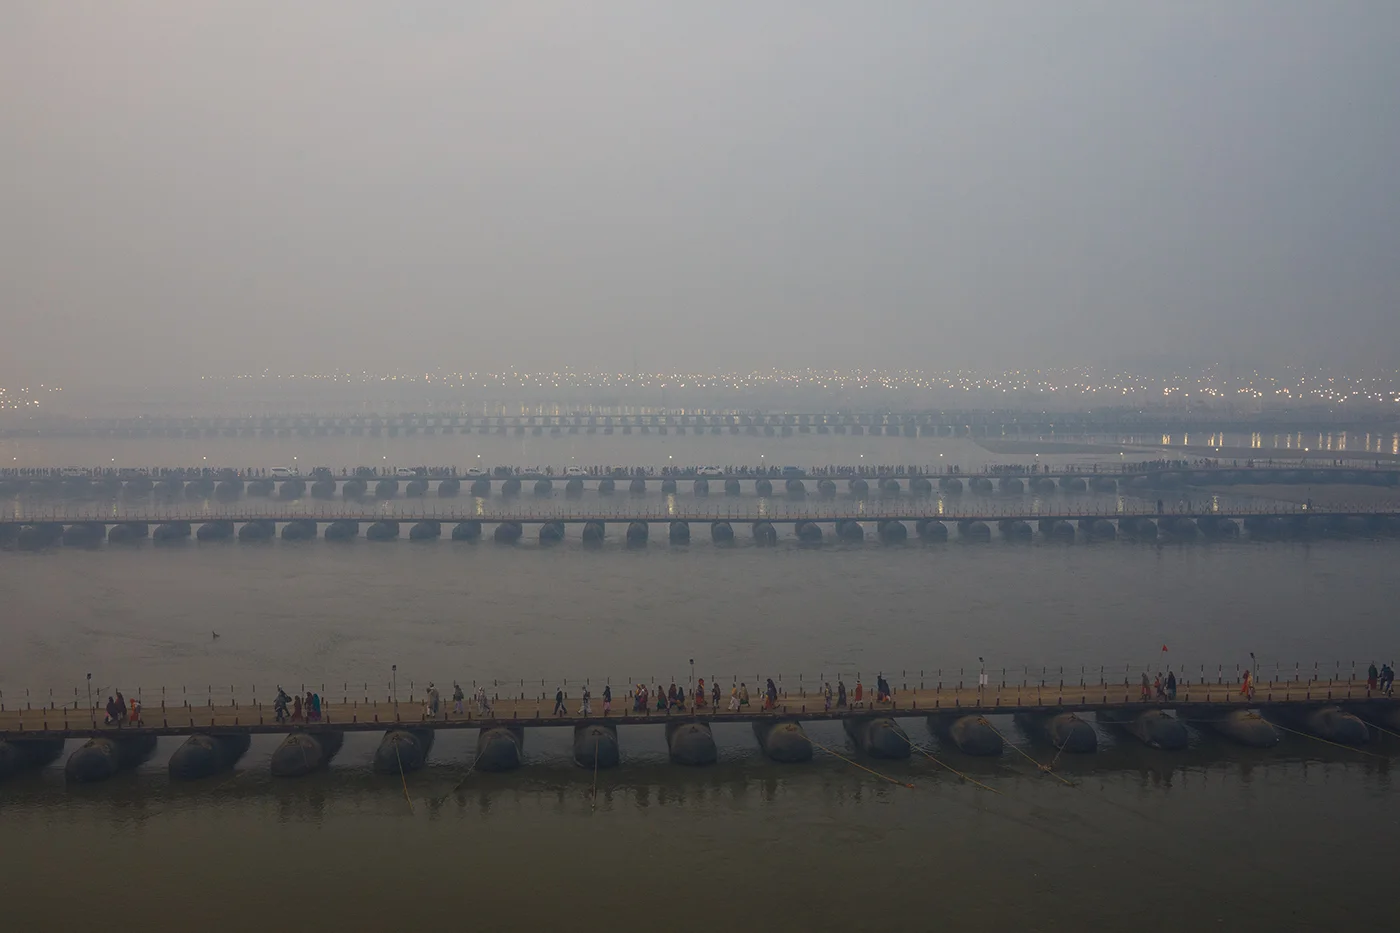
<point>372,715</point>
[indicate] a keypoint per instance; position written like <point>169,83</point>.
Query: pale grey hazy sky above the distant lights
<point>234,187</point>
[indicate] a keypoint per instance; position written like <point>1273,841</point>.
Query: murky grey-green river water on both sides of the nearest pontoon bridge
<point>1297,838</point>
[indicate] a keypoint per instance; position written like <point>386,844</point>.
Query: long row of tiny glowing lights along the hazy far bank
<point>1072,382</point>
